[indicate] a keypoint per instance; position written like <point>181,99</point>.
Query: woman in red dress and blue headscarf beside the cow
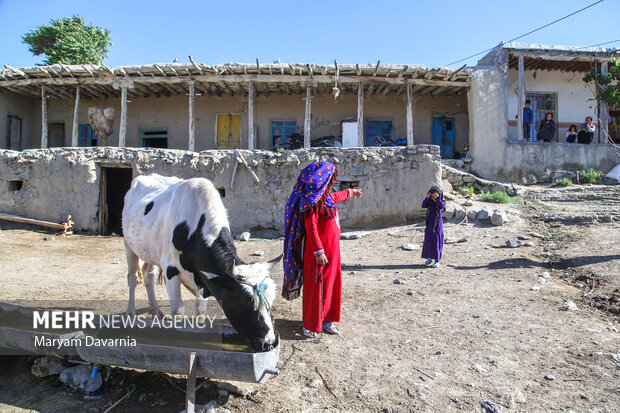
<point>312,247</point>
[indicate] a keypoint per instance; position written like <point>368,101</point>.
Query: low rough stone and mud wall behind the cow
<point>49,184</point>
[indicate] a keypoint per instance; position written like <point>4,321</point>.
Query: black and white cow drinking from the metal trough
<point>182,227</point>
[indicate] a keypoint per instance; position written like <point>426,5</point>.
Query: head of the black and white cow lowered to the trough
<point>246,295</point>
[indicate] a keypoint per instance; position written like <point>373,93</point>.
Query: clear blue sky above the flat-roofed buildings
<point>408,32</point>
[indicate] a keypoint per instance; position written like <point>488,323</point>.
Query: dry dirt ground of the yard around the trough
<point>482,327</point>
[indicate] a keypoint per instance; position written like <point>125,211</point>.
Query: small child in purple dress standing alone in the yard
<point>433,235</point>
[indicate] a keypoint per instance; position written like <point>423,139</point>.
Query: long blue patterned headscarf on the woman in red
<point>309,194</point>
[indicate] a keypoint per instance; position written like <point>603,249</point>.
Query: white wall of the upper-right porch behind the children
<point>574,97</point>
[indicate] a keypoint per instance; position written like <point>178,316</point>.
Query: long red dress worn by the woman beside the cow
<point>322,234</point>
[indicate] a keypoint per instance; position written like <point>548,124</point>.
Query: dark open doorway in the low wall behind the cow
<point>114,183</point>
